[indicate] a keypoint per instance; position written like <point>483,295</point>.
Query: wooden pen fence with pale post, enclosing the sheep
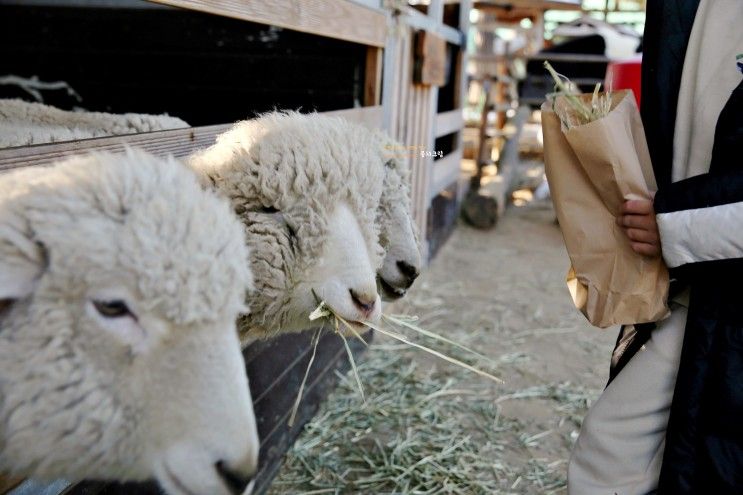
<point>418,115</point>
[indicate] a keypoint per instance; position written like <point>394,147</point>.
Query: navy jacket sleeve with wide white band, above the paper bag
<point>701,219</point>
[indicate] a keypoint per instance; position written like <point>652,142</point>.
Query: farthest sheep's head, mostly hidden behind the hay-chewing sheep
<point>398,234</point>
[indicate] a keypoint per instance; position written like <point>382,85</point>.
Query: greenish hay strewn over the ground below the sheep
<point>424,430</point>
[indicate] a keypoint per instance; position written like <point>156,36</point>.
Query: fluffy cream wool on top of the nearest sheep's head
<point>138,202</point>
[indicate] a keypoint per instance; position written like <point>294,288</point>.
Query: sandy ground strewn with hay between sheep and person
<point>430,427</point>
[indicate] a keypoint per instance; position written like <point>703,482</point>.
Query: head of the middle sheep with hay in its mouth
<point>307,188</point>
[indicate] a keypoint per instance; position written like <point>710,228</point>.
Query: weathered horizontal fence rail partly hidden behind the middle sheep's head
<point>178,142</point>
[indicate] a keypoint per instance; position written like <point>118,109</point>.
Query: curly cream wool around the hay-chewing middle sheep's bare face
<point>287,171</point>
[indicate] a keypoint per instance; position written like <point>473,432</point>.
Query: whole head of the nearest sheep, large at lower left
<point>119,356</point>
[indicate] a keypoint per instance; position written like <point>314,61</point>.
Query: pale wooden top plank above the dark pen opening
<point>338,19</point>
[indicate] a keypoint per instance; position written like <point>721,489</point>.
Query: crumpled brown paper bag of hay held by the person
<point>592,169</point>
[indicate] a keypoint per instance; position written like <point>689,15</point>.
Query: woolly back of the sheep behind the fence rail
<point>23,123</point>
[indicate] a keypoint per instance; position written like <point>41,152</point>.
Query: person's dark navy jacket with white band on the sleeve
<point>704,441</point>
